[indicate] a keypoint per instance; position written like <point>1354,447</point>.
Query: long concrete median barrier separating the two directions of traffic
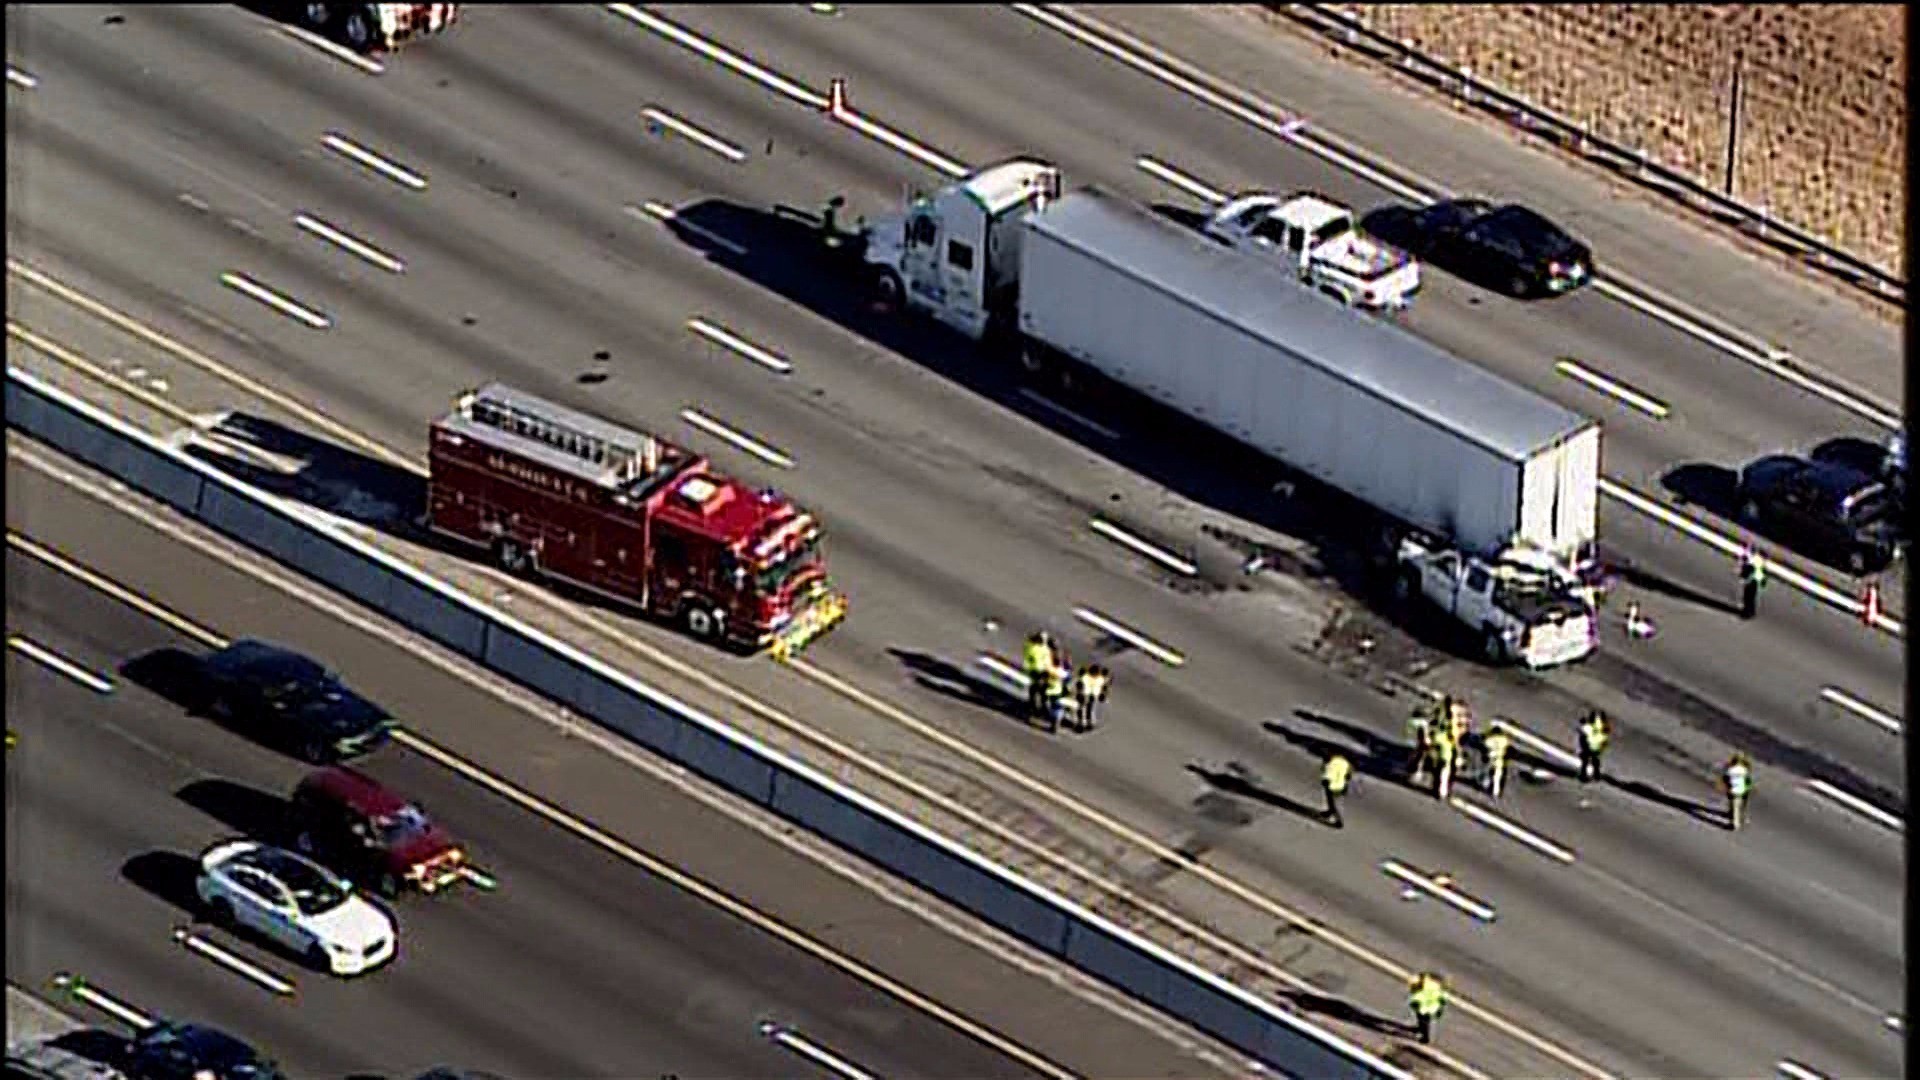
<point>306,541</point>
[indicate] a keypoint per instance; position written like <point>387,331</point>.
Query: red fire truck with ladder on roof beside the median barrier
<point>558,493</point>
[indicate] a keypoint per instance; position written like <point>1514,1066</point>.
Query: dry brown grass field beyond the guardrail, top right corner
<point>1823,135</point>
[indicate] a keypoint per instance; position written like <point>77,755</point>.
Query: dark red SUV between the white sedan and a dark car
<point>372,835</point>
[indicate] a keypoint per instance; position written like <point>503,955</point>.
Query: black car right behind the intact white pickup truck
<point>1508,247</point>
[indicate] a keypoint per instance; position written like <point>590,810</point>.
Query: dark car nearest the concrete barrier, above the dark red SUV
<point>293,702</point>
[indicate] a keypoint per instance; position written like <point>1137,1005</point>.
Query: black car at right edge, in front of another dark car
<point>1831,510</point>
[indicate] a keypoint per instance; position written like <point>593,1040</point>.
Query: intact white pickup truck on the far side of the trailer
<point>1322,243</point>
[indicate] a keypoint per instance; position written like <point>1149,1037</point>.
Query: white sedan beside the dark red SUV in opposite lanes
<point>297,904</point>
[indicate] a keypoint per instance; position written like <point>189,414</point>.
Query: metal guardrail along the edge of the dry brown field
<point>1635,164</point>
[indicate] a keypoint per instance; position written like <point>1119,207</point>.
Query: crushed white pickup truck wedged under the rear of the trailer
<point>1525,608</point>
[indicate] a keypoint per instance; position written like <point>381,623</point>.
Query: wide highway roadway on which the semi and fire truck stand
<point>185,143</point>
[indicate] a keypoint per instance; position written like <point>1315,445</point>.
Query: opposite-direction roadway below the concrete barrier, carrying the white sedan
<point>575,960</point>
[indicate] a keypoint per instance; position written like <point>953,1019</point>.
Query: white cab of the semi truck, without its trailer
<point>955,255</point>
